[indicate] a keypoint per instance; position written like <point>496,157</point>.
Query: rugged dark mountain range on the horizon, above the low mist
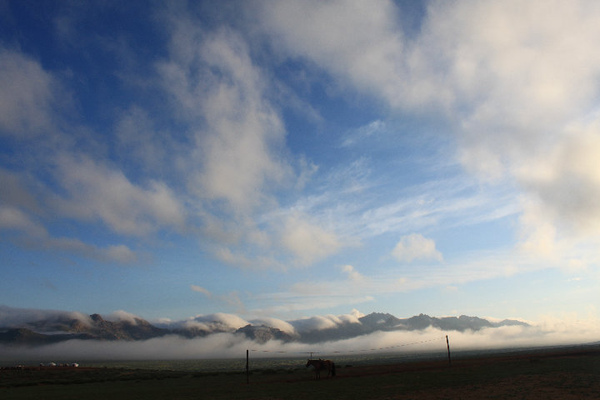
<point>95,327</point>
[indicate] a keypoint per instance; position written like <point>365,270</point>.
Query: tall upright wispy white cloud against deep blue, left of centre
<point>214,80</point>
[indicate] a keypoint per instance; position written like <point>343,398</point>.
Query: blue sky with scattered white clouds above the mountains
<point>292,159</point>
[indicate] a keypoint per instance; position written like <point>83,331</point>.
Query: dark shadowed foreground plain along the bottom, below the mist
<point>566,373</point>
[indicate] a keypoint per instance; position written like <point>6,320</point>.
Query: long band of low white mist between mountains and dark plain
<point>230,345</point>
